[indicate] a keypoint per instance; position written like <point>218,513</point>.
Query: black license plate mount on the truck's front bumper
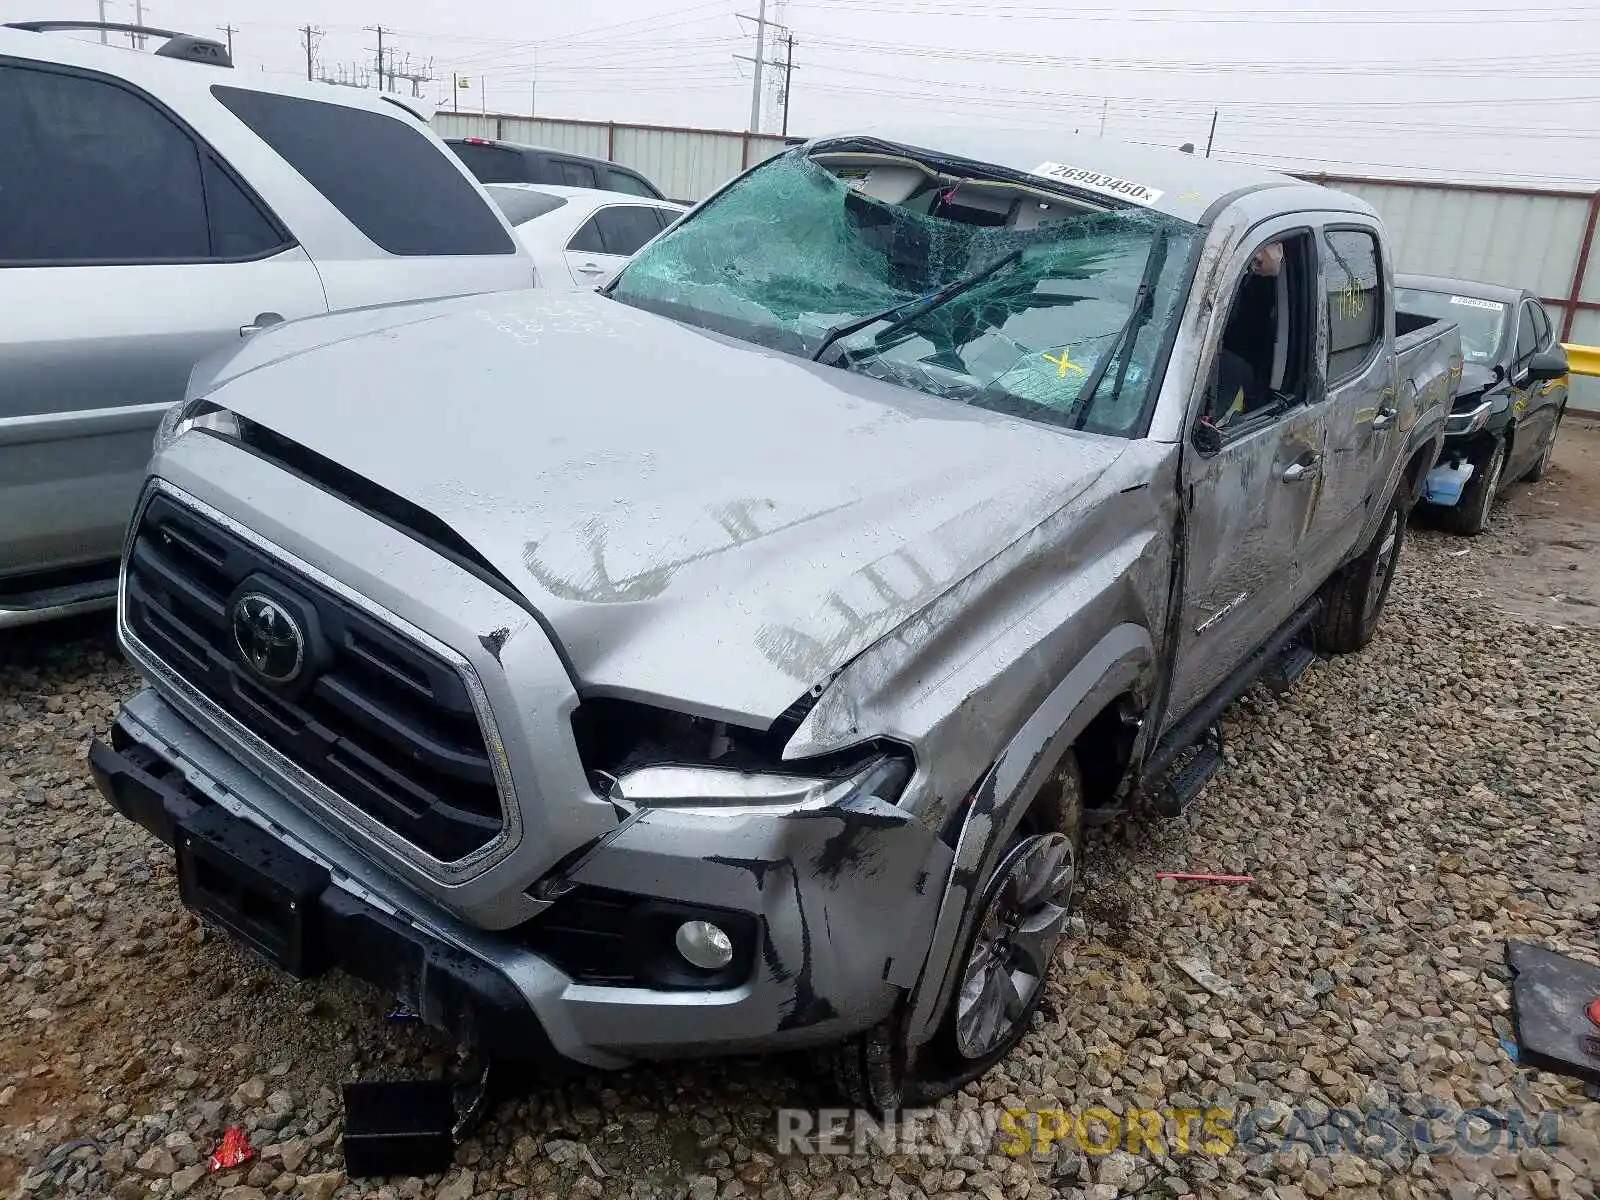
<point>252,887</point>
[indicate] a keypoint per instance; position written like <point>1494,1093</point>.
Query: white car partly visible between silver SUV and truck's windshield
<point>580,236</point>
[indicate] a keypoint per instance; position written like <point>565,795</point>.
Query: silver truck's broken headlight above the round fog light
<point>711,790</point>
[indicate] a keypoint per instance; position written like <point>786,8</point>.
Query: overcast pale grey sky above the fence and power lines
<point>1410,89</point>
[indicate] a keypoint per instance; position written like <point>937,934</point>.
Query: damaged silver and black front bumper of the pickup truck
<point>831,910</point>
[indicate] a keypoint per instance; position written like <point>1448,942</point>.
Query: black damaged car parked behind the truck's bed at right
<point>1510,401</point>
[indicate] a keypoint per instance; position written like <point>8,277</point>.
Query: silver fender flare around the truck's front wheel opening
<point>1119,665</point>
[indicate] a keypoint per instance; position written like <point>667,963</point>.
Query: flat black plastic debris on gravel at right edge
<point>1553,1002</point>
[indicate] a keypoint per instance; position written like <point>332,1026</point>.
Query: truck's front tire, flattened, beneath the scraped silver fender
<point>878,1071</point>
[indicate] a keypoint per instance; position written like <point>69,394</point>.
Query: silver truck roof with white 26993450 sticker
<point>1166,180</point>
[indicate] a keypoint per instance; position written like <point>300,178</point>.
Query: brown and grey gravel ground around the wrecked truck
<point>1404,812</point>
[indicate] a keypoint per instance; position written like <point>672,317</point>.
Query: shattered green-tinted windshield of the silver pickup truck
<point>1066,326</point>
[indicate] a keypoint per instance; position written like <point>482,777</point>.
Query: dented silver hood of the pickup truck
<point>703,522</point>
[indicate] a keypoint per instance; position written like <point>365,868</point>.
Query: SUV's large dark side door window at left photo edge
<point>94,174</point>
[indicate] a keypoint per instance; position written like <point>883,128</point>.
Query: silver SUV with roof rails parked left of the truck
<point>156,209</point>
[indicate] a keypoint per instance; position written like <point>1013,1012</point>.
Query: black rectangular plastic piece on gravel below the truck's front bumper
<point>398,1129</point>
